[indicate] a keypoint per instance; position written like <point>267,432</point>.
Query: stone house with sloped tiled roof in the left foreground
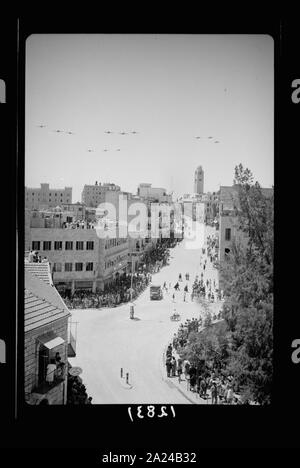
<point>46,333</point>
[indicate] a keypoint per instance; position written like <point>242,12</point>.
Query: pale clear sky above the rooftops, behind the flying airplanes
<point>169,89</point>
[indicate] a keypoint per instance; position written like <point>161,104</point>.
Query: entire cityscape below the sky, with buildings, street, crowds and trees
<point>141,298</point>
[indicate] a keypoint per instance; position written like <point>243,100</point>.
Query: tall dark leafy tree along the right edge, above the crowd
<point>244,343</point>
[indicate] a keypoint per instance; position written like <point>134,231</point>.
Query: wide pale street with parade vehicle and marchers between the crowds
<point>108,340</point>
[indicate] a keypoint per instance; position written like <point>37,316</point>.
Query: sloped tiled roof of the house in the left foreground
<point>43,304</point>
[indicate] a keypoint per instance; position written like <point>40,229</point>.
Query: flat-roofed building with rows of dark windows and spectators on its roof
<point>78,257</point>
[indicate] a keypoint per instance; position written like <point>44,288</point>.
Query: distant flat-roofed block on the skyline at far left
<point>44,197</point>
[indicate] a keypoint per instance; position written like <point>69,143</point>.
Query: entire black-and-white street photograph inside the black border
<point>149,218</point>
